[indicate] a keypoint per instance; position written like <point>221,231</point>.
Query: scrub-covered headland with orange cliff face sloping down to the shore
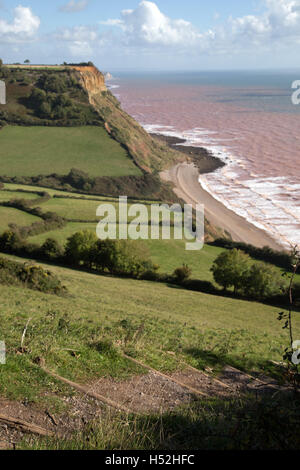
<point>76,96</point>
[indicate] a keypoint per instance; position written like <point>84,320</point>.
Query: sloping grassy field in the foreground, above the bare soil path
<point>206,329</point>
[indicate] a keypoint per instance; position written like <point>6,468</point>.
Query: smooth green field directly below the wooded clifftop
<point>57,149</point>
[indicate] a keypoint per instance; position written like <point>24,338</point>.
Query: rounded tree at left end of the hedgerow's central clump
<point>80,248</point>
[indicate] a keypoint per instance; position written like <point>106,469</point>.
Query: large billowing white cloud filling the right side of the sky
<point>148,26</point>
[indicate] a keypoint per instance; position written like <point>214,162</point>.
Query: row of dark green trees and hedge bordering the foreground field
<point>233,270</point>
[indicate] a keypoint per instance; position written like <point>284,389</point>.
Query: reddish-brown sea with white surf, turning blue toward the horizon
<point>247,119</point>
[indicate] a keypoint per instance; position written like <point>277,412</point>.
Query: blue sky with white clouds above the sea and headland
<point>153,35</point>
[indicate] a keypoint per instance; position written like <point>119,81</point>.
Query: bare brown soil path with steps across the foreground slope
<point>140,394</point>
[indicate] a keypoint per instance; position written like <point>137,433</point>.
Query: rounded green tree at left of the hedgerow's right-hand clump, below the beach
<point>230,269</point>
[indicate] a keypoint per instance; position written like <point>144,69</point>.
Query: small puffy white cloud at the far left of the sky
<point>23,27</point>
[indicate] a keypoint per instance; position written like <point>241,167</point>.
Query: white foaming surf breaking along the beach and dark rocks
<point>264,202</point>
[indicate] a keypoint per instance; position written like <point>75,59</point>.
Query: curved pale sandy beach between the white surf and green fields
<point>185,177</point>
